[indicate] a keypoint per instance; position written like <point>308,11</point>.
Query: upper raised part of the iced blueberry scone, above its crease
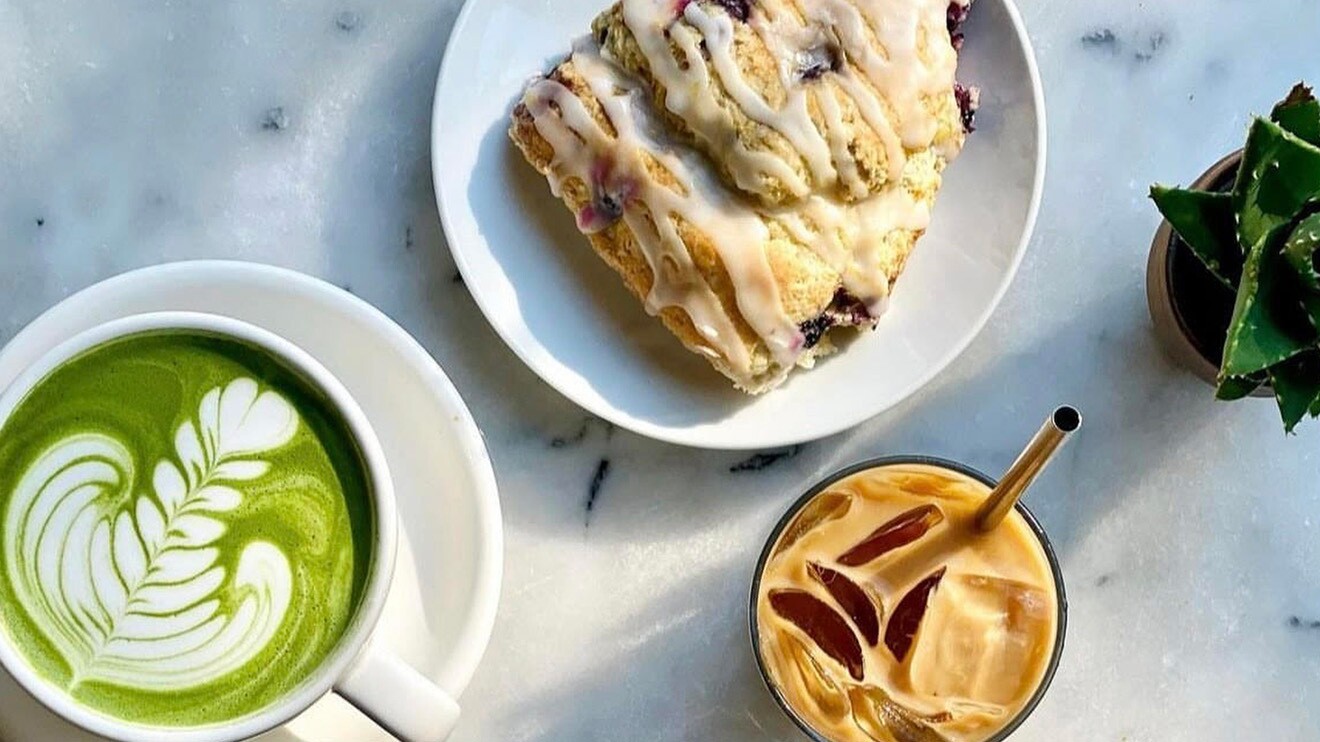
<point>797,97</point>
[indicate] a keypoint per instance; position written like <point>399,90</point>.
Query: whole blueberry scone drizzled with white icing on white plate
<point>756,171</point>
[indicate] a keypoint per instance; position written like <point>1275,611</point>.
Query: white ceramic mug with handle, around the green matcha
<point>383,687</point>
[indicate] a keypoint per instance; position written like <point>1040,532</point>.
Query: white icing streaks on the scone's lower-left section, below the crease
<point>651,211</point>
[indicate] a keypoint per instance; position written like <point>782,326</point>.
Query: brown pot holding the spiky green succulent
<point>1190,308</point>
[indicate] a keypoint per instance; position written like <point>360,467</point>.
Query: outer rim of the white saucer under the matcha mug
<point>477,630</point>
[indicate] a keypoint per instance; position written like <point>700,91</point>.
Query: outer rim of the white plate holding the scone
<point>707,436</point>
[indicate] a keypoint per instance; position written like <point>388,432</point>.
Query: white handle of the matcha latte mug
<point>398,698</point>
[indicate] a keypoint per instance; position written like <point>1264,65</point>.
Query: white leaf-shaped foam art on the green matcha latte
<point>127,588</point>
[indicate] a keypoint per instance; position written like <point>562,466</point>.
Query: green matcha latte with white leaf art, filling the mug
<point>185,525</point>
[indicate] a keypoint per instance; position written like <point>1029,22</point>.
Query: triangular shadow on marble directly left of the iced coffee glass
<point>680,667</point>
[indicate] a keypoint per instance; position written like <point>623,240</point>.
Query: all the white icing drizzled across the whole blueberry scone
<point>894,61</point>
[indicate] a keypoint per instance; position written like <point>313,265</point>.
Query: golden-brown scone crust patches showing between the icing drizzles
<point>806,282</point>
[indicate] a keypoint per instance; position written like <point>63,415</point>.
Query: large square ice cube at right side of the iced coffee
<point>985,641</point>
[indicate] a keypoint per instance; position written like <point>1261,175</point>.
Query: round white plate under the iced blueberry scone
<point>574,323</point>
